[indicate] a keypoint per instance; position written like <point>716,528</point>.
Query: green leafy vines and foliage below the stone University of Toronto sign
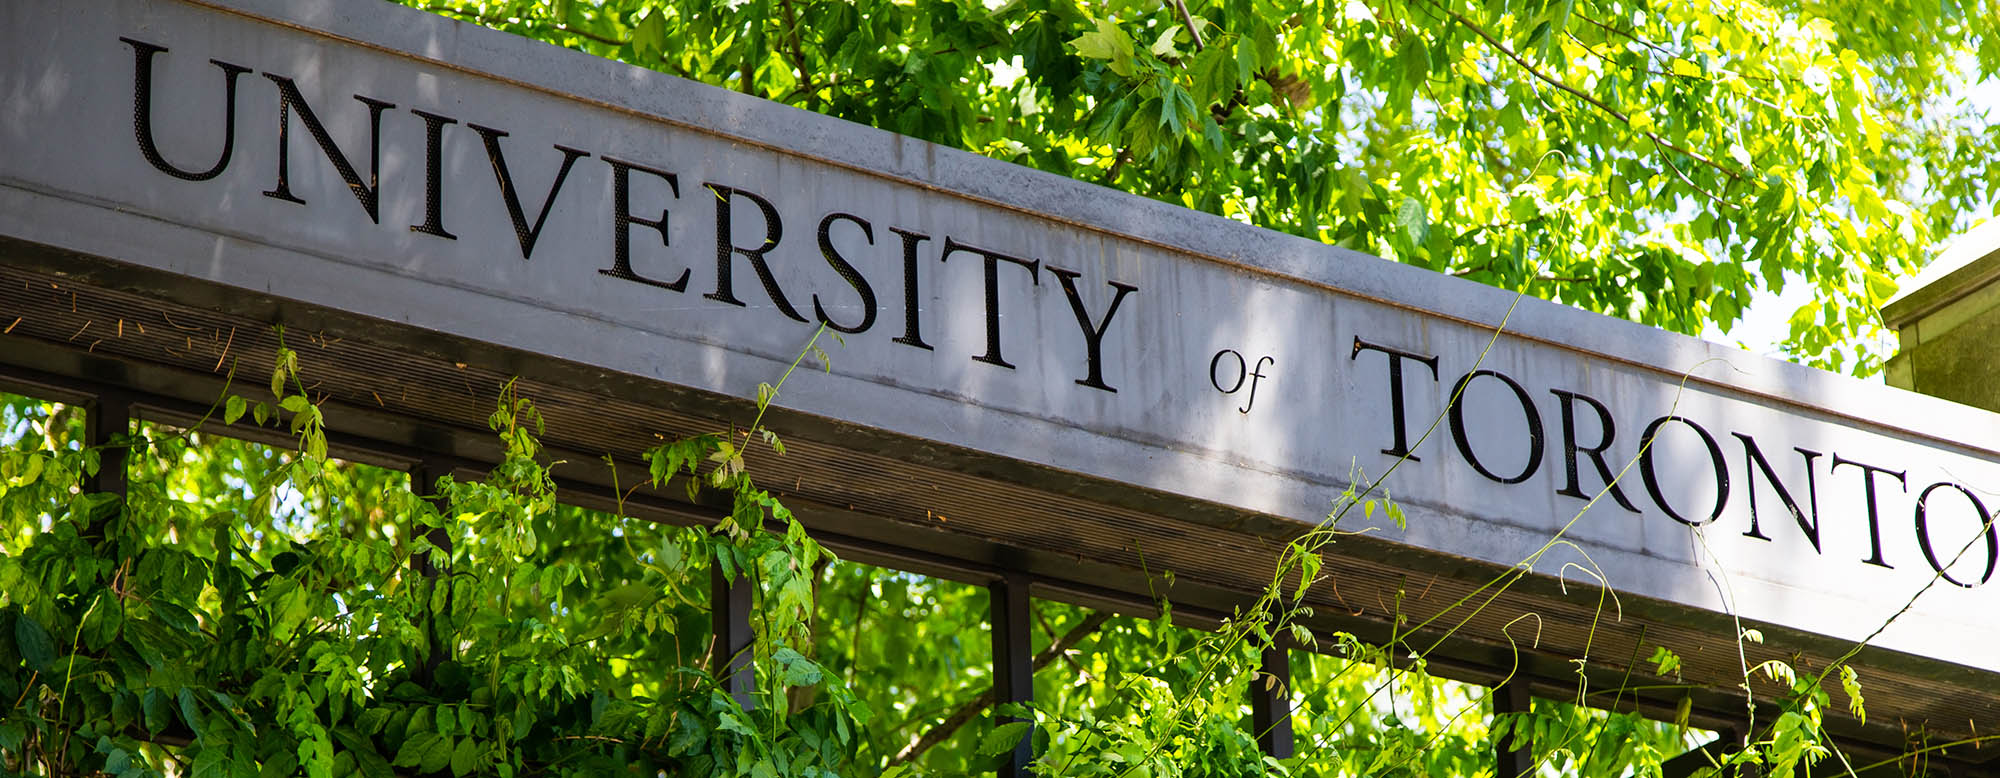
<point>249,611</point>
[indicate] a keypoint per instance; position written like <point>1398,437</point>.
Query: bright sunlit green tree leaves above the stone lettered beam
<point>1661,163</point>
